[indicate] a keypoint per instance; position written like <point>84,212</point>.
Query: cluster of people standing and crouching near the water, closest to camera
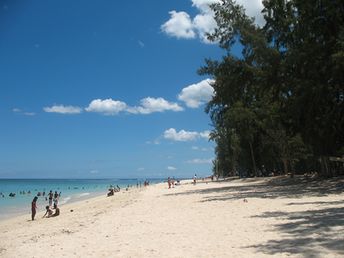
<point>53,202</point>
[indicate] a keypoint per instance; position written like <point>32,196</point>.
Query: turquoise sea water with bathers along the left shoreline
<point>71,190</point>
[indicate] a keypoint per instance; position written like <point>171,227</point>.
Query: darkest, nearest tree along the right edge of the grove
<point>309,36</point>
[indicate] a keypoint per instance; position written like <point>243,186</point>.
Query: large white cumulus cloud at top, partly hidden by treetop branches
<point>181,25</point>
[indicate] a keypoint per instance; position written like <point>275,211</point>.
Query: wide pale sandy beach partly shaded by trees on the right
<point>270,217</point>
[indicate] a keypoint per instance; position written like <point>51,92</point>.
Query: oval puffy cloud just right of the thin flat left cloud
<point>106,107</point>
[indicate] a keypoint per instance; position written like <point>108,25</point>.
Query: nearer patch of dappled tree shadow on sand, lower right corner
<point>303,231</point>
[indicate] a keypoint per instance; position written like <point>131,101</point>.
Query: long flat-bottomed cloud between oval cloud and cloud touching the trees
<point>150,105</point>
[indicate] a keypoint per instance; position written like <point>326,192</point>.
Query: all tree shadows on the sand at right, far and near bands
<point>299,232</point>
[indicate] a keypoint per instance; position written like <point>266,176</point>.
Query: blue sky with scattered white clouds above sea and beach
<point>106,89</point>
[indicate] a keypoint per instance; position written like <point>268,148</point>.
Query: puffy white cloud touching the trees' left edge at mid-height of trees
<point>197,94</point>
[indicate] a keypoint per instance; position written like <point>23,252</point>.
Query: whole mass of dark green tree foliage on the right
<point>282,100</point>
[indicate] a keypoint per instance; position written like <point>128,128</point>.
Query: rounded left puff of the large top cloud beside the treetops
<point>179,26</point>
